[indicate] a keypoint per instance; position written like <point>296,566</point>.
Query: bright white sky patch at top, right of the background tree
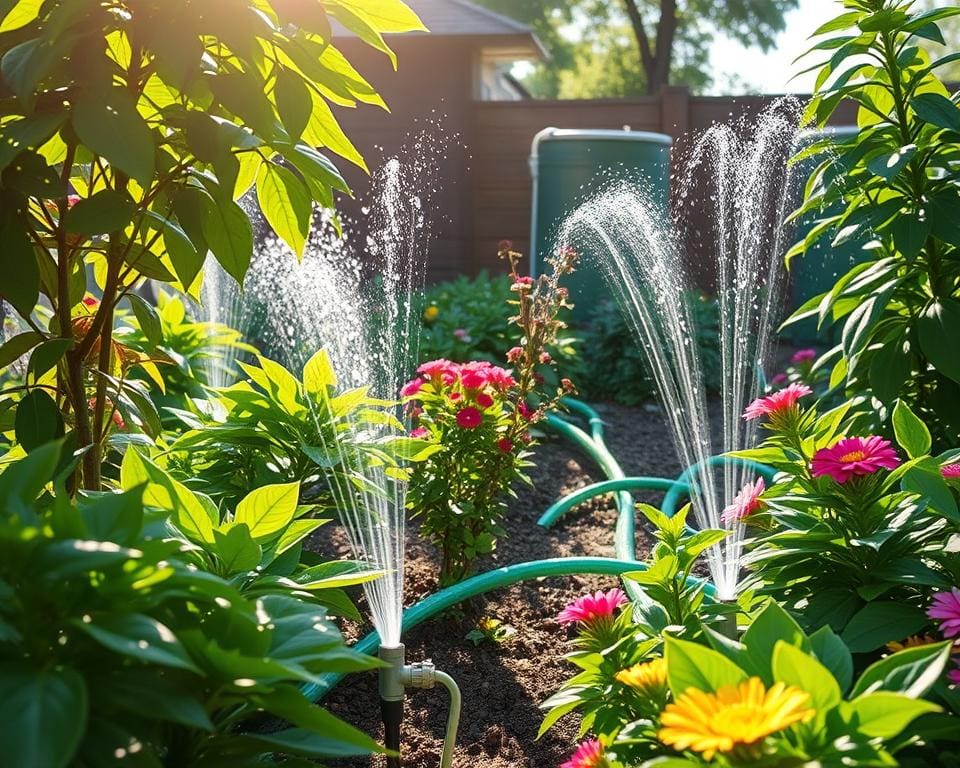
<point>770,72</point>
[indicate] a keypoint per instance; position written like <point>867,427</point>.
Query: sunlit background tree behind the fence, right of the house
<point>629,47</point>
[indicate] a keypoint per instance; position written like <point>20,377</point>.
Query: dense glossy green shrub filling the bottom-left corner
<point>115,647</point>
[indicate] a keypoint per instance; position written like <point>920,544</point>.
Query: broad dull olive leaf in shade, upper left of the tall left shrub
<point>110,125</point>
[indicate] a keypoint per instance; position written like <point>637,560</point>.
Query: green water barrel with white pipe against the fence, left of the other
<point>569,164</point>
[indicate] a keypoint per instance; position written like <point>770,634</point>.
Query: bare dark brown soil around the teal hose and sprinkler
<point>503,684</point>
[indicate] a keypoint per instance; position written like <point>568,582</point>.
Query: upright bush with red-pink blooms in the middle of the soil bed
<point>476,419</point>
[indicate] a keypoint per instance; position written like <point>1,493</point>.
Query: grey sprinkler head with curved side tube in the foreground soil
<point>398,676</point>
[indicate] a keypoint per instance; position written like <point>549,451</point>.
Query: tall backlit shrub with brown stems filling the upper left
<point>128,134</point>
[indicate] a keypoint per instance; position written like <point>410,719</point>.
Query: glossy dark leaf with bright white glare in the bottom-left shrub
<point>140,637</point>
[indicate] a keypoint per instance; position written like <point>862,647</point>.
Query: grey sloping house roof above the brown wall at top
<point>460,18</point>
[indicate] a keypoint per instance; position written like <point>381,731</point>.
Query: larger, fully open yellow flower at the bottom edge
<point>733,718</point>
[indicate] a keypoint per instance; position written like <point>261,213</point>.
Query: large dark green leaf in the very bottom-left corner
<point>43,715</point>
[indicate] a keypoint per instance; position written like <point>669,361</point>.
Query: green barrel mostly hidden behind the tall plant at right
<point>816,271</point>
